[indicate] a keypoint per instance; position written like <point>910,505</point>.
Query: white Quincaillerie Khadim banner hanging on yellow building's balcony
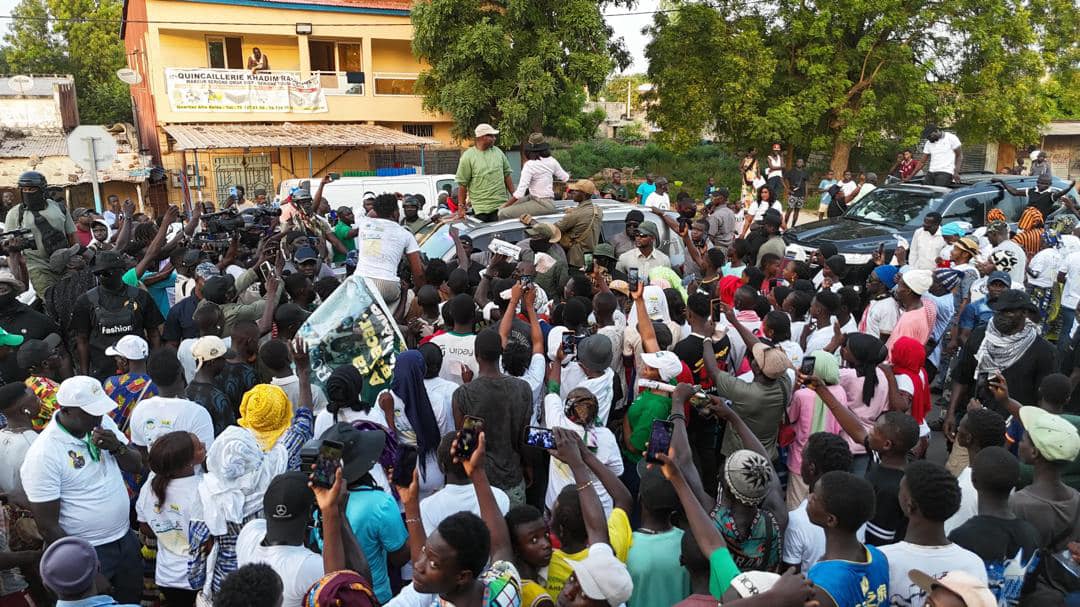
<point>235,91</point>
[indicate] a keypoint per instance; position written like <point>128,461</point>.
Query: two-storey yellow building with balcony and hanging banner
<point>336,96</point>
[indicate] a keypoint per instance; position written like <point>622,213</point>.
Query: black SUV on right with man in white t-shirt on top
<point>898,210</point>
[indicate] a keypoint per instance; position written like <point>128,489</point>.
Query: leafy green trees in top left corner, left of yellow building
<point>83,42</point>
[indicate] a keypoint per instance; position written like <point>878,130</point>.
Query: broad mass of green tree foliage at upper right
<point>862,74</point>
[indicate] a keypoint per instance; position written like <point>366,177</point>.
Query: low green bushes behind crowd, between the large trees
<point>692,167</point>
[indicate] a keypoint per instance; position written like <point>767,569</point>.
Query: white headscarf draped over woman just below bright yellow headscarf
<point>238,476</point>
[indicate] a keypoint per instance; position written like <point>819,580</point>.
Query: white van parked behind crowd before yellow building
<point>349,192</point>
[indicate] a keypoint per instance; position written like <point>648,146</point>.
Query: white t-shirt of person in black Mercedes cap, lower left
<point>298,566</point>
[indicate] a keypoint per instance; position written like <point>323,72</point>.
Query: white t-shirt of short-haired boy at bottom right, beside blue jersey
<point>934,560</point>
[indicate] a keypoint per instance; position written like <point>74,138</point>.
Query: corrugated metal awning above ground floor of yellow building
<point>289,136</point>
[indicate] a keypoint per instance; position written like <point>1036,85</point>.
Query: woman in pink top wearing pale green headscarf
<point>809,414</point>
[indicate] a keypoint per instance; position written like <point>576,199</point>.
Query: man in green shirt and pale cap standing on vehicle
<point>484,177</point>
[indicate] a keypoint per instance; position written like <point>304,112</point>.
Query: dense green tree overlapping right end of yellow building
<point>512,63</point>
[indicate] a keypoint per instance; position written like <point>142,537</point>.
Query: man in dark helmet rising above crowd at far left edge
<point>51,230</point>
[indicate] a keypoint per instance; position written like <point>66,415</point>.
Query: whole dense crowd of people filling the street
<point>585,425</point>
